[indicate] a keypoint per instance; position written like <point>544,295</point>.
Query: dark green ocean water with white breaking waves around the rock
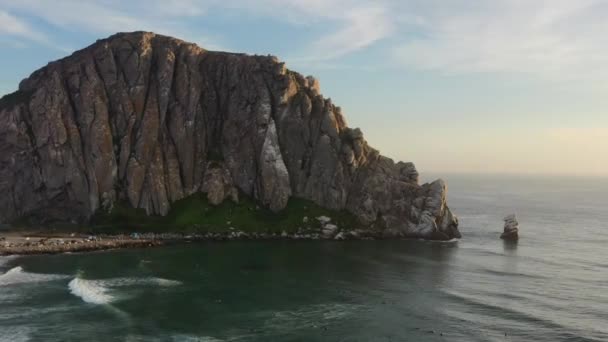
<point>550,286</point>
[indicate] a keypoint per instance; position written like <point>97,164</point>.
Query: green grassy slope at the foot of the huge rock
<point>196,214</point>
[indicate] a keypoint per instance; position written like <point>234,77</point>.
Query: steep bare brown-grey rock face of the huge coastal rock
<point>151,119</point>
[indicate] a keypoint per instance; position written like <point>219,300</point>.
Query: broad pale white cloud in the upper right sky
<point>557,38</point>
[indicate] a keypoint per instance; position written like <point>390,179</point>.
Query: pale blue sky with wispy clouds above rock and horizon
<point>482,86</point>
